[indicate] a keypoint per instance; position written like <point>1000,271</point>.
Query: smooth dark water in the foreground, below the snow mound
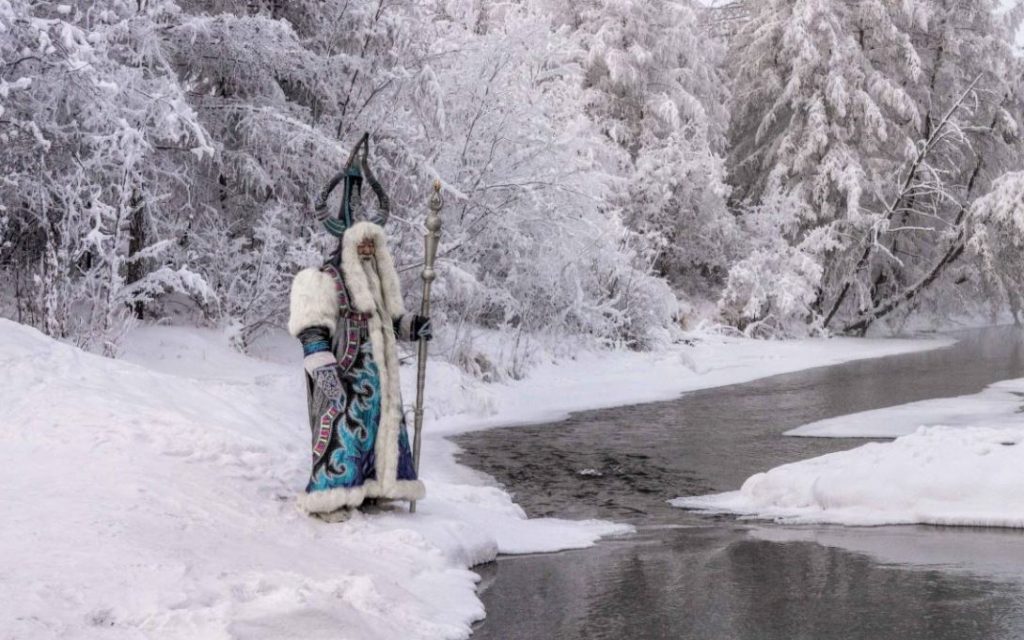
<point>711,583</point>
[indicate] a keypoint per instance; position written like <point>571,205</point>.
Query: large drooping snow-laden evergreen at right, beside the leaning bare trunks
<point>862,134</point>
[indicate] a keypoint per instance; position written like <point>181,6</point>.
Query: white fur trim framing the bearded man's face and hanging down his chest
<point>356,277</point>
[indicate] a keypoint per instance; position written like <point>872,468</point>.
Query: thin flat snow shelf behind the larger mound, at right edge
<point>998,406</point>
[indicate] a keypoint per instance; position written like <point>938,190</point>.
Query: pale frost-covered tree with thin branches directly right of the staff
<point>529,244</point>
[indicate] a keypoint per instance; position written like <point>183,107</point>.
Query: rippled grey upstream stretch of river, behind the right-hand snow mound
<point>714,440</point>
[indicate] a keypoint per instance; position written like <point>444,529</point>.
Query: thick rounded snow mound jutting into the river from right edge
<point>936,476</point>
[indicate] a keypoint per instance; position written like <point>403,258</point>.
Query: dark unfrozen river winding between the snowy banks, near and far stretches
<point>690,576</point>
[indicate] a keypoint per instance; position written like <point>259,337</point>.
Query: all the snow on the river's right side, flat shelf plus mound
<point>959,461</point>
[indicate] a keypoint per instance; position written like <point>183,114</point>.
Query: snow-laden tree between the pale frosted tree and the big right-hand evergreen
<point>657,91</point>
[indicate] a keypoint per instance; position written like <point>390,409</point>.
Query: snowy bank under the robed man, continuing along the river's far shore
<point>154,496</point>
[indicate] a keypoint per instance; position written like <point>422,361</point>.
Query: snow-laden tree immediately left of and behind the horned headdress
<point>273,84</point>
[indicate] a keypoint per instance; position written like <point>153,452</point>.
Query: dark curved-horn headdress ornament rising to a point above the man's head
<point>357,170</point>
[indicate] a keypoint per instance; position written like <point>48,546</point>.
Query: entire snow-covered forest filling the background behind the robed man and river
<point>612,168</point>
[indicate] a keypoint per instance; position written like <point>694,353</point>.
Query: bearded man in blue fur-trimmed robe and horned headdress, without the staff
<point>349,316</point>
